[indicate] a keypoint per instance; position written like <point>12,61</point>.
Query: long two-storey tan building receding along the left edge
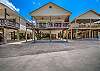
<point>12,25</point>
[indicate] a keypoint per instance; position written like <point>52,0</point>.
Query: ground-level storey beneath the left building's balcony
<point>11,35</point>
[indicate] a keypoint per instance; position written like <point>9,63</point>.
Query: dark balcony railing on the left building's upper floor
<point>9,23</point>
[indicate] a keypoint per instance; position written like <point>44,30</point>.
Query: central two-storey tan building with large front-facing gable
<point>52,21</point>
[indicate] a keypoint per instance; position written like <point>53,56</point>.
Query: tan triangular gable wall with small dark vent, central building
<point>46,11</point>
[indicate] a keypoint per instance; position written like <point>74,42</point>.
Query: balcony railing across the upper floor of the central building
<point>52,25</point>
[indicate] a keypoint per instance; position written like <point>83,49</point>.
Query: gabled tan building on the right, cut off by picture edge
<point>86,26</point>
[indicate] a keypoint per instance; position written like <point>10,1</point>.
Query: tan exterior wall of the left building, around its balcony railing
<point>11,33</point>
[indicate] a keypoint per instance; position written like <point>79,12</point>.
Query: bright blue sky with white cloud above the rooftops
<point>77,7</point>
